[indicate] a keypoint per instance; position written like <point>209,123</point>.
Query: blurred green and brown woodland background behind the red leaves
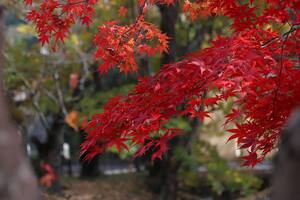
<point>52,94</point>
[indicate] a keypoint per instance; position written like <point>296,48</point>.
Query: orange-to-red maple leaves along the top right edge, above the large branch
<point>245,15</point>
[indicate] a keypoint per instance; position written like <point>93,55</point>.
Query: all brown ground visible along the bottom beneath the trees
<point>130,186</point>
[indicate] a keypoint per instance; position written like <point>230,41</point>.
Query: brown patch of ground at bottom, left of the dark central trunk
<point>117,187</point>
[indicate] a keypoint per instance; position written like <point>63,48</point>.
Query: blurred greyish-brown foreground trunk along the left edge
<point>16,178</point>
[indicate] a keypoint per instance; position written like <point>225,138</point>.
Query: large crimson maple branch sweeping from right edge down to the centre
<point>248,74</point>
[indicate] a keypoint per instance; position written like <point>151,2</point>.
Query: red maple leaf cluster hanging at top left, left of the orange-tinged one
<point>54,18</point>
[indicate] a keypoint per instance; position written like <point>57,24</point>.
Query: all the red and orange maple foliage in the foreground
<point>257,66</point>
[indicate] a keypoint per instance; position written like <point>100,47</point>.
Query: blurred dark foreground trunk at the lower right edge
<point>287,176</point>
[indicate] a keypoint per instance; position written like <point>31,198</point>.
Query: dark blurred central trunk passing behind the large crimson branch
<point>163,173</point>
